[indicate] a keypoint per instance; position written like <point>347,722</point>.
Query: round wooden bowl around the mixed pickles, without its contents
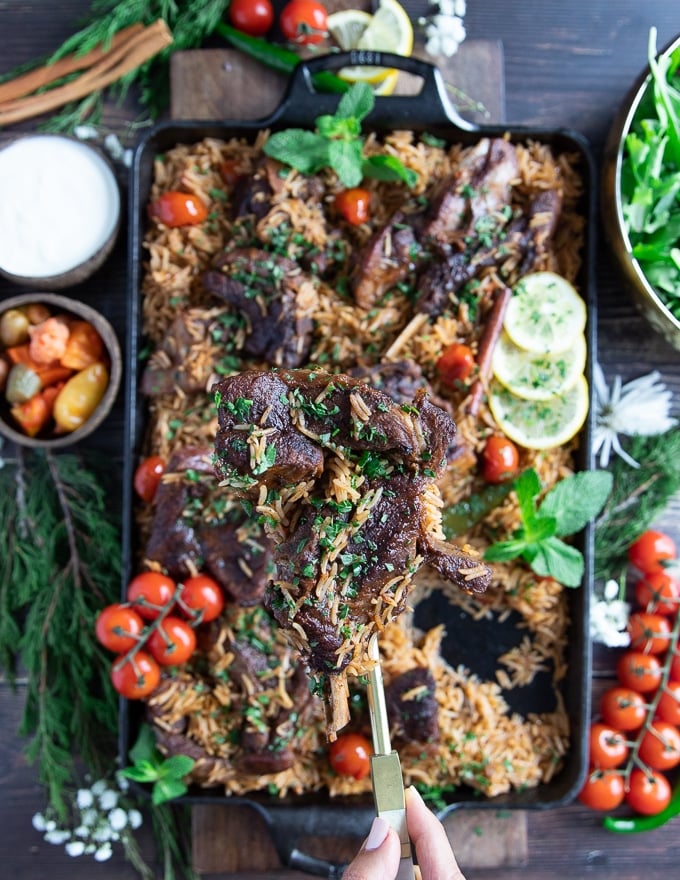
<point>64,304</point>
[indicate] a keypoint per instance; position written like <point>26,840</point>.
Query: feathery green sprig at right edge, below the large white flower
<point>638,496</point>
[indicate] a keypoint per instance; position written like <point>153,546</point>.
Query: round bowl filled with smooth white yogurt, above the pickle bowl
<point>60,211</point>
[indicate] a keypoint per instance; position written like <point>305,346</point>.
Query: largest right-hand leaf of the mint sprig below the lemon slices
<point>576,500</point>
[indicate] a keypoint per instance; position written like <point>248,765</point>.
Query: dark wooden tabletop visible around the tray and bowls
<point>566,64</point>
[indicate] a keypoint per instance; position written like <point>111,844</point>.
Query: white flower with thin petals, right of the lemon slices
<point>640,408</point>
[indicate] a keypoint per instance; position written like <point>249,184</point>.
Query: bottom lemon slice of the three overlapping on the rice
<point>540,424</point>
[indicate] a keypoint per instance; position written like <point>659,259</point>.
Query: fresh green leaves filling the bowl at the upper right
<point>650,179</point>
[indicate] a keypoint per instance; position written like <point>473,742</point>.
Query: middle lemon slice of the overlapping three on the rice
<point>535,375</point>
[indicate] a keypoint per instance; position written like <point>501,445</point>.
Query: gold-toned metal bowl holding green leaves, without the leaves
<point>644,294</point>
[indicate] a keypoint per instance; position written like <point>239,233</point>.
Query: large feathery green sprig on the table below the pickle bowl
<point>60,567</point>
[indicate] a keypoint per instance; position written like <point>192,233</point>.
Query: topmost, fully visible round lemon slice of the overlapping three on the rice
<point>545,313</point>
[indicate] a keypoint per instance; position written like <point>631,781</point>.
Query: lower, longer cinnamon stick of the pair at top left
<point>114,64</point>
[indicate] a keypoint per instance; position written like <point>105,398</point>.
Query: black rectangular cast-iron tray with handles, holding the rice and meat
<point>430,110</point>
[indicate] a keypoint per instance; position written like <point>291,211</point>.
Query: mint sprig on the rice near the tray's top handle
<point>337,143</point>
